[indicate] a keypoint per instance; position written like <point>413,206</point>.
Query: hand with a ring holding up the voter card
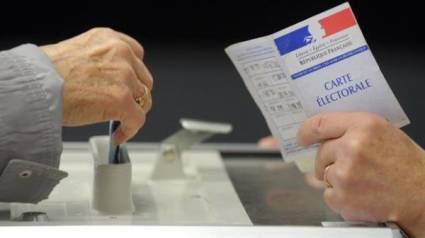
<point>375,172</point>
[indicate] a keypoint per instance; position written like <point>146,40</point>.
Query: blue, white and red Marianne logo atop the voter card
<point>308,34</point>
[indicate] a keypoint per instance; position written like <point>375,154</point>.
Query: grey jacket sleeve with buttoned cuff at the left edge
<point>30,125</point>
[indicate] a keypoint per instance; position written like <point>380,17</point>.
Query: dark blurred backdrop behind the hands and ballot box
<point>185,40</point>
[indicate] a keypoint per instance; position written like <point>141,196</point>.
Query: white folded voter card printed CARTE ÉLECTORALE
<point>319,65</point>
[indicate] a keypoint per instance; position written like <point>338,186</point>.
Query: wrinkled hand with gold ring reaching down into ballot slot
<point>103,74</point>
